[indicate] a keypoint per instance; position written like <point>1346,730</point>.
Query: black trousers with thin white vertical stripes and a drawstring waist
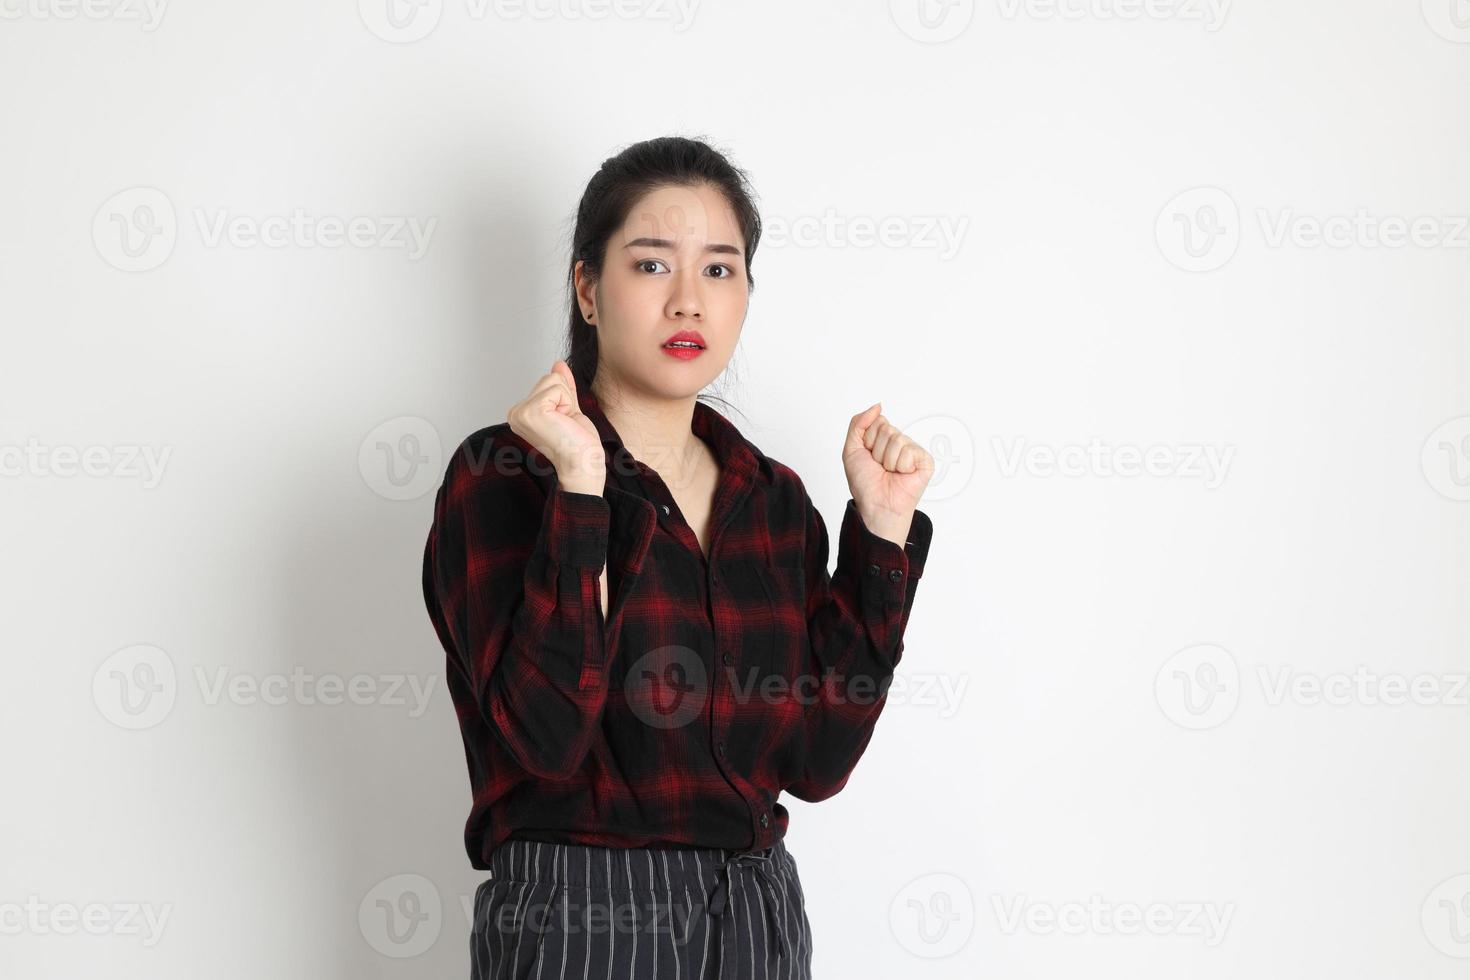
<point>561,912</point>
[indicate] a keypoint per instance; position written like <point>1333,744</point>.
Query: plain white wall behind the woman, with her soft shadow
<point>1118,735</point>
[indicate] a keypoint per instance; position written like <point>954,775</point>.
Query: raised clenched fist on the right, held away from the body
<point>886,471</point>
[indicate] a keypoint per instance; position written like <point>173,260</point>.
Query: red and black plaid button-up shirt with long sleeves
<point>712,685</point>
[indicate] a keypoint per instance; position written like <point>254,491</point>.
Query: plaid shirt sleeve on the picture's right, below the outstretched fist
<point>856,619</point>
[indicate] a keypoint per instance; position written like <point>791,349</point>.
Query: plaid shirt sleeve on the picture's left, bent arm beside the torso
<point>511,578</point>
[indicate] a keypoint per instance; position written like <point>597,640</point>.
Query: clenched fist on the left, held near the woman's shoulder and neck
<point>552,421</point>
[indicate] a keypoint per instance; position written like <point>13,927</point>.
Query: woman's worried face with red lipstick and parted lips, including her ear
<point>677,265</point>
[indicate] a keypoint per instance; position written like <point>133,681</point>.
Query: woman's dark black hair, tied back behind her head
<point>611,195</point>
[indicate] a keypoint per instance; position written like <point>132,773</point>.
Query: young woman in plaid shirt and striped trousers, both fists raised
<point>645,644</point>
